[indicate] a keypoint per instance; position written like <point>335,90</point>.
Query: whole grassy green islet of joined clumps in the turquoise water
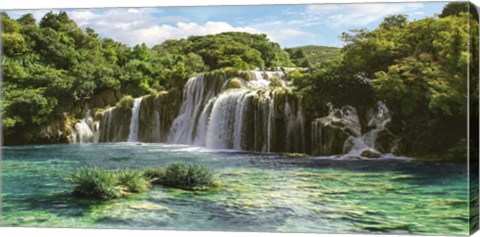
<point>105,184</point>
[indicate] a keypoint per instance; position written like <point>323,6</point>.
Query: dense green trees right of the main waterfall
<point>418,68</point>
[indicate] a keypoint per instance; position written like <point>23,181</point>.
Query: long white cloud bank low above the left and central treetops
<point>135,26</point>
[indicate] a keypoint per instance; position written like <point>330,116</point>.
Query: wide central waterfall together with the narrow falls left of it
<point>253,111</point>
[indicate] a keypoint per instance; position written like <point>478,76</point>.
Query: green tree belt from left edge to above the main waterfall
<point>53,67</point>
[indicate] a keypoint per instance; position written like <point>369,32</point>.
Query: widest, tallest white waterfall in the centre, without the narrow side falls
<point>224,118</point>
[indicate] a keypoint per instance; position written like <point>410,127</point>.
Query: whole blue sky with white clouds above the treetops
<point>289,25</point>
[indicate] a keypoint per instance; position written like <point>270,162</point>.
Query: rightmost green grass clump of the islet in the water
<point>183,176</point>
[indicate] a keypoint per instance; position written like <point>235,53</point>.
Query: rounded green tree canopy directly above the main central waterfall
<point>230,49</point>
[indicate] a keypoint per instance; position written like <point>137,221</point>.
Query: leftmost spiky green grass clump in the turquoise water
<point>95,183</point>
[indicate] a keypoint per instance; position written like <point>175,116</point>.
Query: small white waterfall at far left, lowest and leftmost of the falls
<point>86,130</point>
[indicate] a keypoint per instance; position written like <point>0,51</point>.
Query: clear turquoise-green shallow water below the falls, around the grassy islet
<point>259,192</point>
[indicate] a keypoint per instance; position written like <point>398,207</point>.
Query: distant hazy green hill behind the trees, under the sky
<point>312,55</point>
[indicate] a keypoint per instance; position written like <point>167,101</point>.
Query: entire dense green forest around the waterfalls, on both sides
<point>52,69</point>
